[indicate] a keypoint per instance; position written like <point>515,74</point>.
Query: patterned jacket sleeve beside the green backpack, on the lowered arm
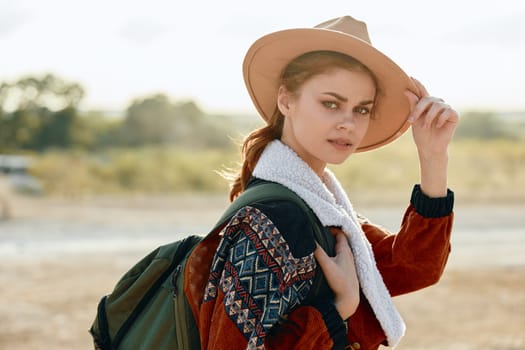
<point>258,278</point>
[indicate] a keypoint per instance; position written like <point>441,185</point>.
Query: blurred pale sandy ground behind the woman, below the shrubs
<point>49,290</point>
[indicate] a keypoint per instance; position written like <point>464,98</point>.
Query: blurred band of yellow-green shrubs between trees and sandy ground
<point>478,169</point>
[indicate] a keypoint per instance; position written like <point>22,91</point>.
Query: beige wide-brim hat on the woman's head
<point>268,56</point>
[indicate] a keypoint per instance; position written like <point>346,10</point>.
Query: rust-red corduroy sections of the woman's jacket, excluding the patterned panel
<point>412,259</point>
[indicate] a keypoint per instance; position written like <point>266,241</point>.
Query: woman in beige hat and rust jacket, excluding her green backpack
<point>325,93</point>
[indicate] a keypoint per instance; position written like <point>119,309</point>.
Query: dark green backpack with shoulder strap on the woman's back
<point>148,309</point>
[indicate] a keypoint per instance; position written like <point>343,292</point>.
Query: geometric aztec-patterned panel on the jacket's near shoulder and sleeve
<point>258,274</point>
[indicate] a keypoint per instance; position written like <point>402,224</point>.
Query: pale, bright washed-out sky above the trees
<point>470,53</point>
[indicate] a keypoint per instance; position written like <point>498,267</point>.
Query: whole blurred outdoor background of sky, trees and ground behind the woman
<point>116,119</point>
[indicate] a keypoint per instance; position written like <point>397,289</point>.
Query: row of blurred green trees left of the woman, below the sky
<point>42,112</point>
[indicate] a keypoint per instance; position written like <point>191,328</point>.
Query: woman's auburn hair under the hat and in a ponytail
<point>296,73</point>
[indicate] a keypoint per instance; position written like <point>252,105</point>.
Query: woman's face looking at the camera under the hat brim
<point>327,118</point>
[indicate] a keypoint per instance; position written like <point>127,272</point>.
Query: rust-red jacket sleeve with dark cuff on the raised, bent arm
<point>415,257</point>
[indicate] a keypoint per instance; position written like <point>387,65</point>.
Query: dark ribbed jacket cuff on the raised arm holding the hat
<point>432,207</point>
